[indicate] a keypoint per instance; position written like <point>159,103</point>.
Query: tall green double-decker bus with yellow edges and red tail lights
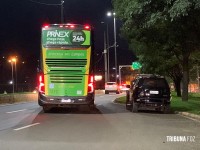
<point>66,73</point>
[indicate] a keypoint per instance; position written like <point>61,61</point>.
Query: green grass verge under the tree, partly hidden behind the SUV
<point>191,106</point>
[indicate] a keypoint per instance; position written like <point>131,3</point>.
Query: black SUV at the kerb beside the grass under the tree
<point>149,91</point>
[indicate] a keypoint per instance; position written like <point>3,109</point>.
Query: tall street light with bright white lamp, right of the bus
<point>115,43</point>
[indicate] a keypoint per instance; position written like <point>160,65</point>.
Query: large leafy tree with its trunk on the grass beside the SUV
<point>176,23</point>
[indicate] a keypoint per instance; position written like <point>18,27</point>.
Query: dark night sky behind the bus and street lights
<point>21,22</point>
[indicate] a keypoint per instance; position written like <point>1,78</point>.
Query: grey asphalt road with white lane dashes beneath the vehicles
<point>109,127</point>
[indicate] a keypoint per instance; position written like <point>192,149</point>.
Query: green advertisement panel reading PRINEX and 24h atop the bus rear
<point>65,37</point>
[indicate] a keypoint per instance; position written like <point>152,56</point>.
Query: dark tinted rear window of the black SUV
<point>154,83</point>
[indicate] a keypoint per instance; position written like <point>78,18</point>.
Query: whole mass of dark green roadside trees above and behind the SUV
<point>164,35</point>
